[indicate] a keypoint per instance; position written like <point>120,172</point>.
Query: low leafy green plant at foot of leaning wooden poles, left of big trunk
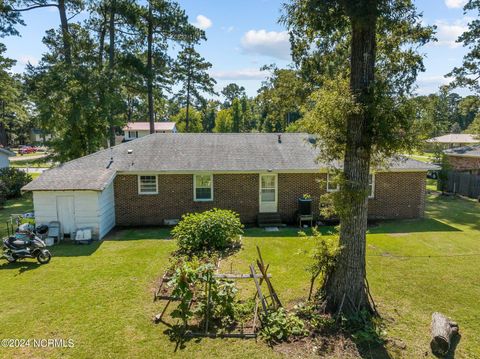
<point>279,325</point>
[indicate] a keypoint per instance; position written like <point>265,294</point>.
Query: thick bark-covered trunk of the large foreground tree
<point>346,284</point>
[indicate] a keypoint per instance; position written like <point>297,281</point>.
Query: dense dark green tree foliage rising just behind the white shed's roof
<point>67,96</point>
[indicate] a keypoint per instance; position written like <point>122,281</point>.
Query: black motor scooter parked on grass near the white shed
<point>26,243</point>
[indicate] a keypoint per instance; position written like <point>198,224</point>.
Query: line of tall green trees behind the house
<point>123,62</point>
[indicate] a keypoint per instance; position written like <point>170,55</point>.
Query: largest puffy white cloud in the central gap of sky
<point>267,43</point>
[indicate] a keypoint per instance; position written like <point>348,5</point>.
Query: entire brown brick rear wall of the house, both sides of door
<point>397,195</point>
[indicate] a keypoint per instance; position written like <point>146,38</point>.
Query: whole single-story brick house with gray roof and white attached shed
<point>160,177</point>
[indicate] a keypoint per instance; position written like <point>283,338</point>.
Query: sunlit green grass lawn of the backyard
<point>101,295</point>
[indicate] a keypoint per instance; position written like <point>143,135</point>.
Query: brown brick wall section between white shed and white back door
<point>175,197</point>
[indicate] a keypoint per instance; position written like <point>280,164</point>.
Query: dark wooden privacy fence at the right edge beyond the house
<point>462,183</point>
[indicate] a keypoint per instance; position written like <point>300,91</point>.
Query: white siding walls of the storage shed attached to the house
<point>90,209</point>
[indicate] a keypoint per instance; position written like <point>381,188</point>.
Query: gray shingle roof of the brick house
<point>187,153</point>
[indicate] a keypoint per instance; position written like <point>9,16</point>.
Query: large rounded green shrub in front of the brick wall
<point>216,229</point>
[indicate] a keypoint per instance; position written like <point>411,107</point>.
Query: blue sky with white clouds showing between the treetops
<point>244,35</point>
